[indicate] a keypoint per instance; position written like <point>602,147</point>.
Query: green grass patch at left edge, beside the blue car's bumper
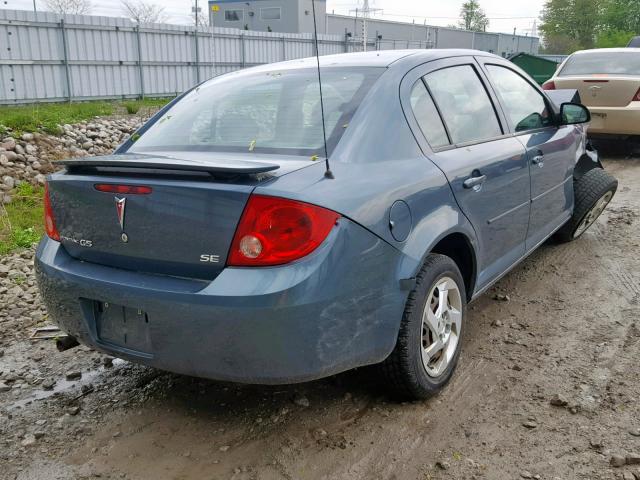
<point>21,221</point>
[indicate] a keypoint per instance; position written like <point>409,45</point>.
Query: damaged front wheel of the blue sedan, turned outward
<point>593,192</point>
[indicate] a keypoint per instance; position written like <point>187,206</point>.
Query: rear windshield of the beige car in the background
<point>611,63</point>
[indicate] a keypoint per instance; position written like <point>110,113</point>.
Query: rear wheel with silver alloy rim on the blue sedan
<point>406,372</point>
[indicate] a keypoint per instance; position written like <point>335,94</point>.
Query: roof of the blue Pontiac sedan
<point>381,58</point>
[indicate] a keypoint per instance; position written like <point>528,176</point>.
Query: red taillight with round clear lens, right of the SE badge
<point>274,231</point>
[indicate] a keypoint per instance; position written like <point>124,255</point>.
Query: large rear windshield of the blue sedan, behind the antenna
<point>262,112</point>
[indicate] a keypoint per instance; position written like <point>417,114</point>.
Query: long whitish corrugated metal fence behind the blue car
<point>48,58</point>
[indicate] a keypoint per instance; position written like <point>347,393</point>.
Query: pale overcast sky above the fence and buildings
<point>504,15</point>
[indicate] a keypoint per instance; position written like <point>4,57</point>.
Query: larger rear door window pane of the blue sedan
<point>464,104</point>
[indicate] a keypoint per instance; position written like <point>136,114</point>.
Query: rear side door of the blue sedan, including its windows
<point>456,122</point>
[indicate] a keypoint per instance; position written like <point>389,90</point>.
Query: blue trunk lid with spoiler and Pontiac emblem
<point>181,224</point>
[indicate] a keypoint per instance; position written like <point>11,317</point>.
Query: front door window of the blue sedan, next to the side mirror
<point>524,105</point>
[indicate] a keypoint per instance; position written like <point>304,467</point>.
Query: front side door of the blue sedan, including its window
<point>551,149</point>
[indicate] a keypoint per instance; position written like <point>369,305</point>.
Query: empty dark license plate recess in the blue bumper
<point>122,326</point>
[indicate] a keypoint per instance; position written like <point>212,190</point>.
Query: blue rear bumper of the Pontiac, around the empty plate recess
<point>338,308</point>
